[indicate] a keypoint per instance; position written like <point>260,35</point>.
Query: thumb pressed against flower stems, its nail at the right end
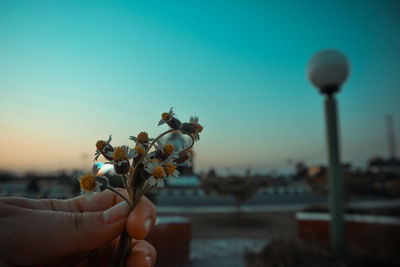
<point>50,235</point>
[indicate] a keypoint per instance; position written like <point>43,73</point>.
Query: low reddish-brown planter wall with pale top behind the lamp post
<point>368,232</point>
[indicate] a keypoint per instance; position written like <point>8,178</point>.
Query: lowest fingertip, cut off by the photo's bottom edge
<point>143,254</point>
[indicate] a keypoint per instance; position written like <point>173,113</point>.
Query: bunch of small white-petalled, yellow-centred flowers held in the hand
<point>142,167</point>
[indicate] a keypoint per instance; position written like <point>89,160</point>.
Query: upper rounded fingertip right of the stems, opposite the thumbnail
<point>141,219</point>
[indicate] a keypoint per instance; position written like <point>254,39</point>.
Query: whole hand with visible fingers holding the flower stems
<point>50,232</point>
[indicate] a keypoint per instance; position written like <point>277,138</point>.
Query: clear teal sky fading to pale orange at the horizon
<point>73,72</point>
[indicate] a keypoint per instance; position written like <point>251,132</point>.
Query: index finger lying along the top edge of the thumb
<point>100,201</point>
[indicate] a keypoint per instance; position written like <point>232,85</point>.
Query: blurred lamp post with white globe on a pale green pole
<point>327,70</point>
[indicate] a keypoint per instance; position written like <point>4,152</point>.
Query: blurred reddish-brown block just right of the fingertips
<point>171,238</point>
